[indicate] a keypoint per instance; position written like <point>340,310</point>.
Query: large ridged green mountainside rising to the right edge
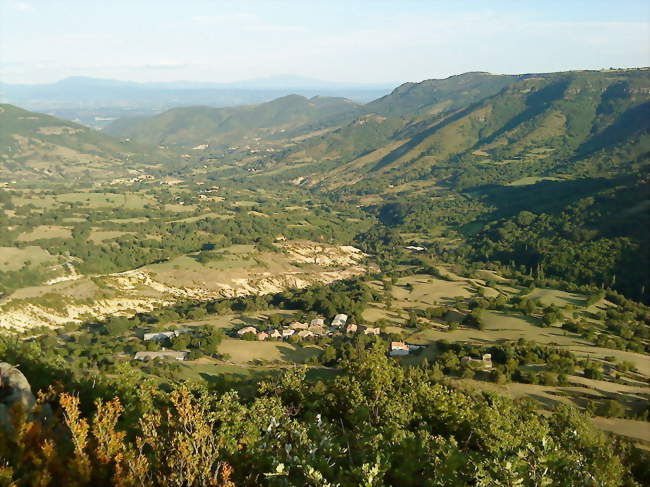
<point>536,125</point>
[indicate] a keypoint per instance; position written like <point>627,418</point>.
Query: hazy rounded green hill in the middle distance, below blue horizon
<point>280,118</point>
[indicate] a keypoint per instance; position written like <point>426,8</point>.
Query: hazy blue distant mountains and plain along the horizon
<point>95,101</point>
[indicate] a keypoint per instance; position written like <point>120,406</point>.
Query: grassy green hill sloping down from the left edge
<point>36,145</point>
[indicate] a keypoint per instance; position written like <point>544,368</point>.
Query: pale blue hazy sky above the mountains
<point>359,41</point>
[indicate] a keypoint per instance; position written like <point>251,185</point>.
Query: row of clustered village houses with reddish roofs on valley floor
<point>314,328</point>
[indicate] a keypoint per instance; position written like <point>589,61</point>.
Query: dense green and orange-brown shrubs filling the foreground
<point>375,424</point>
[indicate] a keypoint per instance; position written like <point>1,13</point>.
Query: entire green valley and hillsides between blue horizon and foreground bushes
<point>484,235</point>
